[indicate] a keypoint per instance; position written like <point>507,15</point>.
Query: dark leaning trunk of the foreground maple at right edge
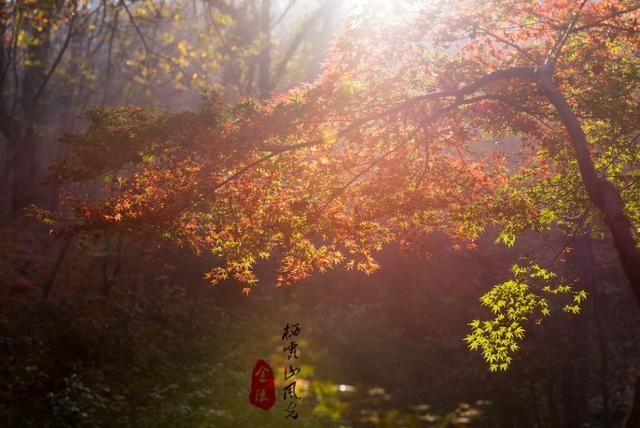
<point>606,197</point>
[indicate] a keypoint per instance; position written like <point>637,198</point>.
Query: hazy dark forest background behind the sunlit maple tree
<point>124,331</point>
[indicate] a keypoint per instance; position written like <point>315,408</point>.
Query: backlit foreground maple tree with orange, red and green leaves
<point>395,140</point>
